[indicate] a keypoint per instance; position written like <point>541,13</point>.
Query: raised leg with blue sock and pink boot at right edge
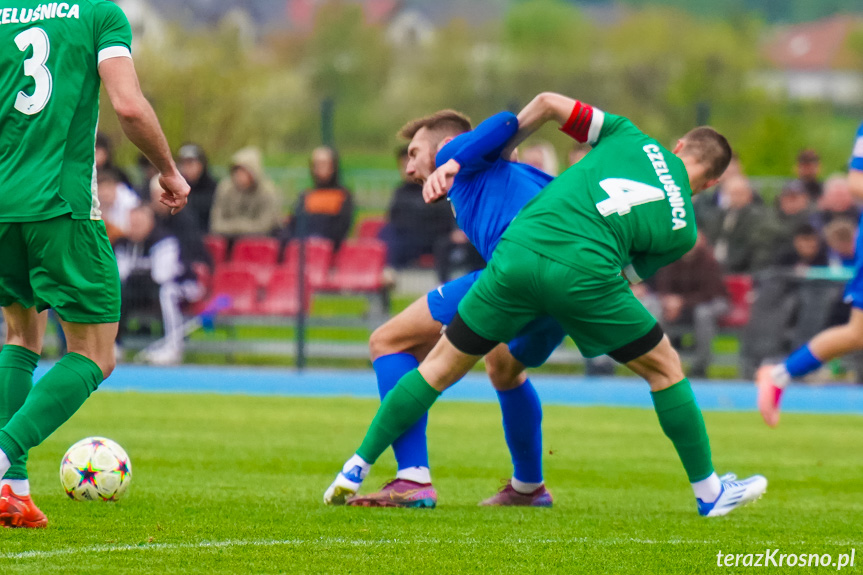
<point>829,344</point>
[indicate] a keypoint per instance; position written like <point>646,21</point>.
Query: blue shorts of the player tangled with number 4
<point>534,343</point>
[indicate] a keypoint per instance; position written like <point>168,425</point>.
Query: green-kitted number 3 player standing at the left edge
<point>53,245</point>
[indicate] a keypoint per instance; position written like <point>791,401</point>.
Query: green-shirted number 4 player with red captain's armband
<point>617,216</point>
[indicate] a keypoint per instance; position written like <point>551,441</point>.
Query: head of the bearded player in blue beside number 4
<point>427,136</point>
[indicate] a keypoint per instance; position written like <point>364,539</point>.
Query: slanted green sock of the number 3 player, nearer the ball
<point>56,397</point>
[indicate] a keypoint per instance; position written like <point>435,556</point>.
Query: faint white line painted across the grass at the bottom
<point>323,541</point>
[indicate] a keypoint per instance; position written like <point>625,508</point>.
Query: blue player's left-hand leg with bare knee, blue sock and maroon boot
<point>396,348</point>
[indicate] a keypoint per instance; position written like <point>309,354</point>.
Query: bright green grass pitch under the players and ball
<point>233,484</point>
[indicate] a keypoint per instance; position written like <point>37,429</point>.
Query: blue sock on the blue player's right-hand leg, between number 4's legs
<point>522,428</point>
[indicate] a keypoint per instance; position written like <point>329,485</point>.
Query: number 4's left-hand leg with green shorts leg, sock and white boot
<point>502,311</point>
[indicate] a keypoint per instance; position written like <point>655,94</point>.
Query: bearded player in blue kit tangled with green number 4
<point>485,198</point>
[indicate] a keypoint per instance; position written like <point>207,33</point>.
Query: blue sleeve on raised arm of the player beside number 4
<point>481,147</point>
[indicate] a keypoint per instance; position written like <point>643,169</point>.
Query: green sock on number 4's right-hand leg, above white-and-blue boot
<point>683,424</point>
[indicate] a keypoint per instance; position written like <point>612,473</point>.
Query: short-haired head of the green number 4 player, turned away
<point>706,154</point>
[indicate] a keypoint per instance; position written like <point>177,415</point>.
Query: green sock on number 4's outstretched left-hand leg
<point>403,406</point>
